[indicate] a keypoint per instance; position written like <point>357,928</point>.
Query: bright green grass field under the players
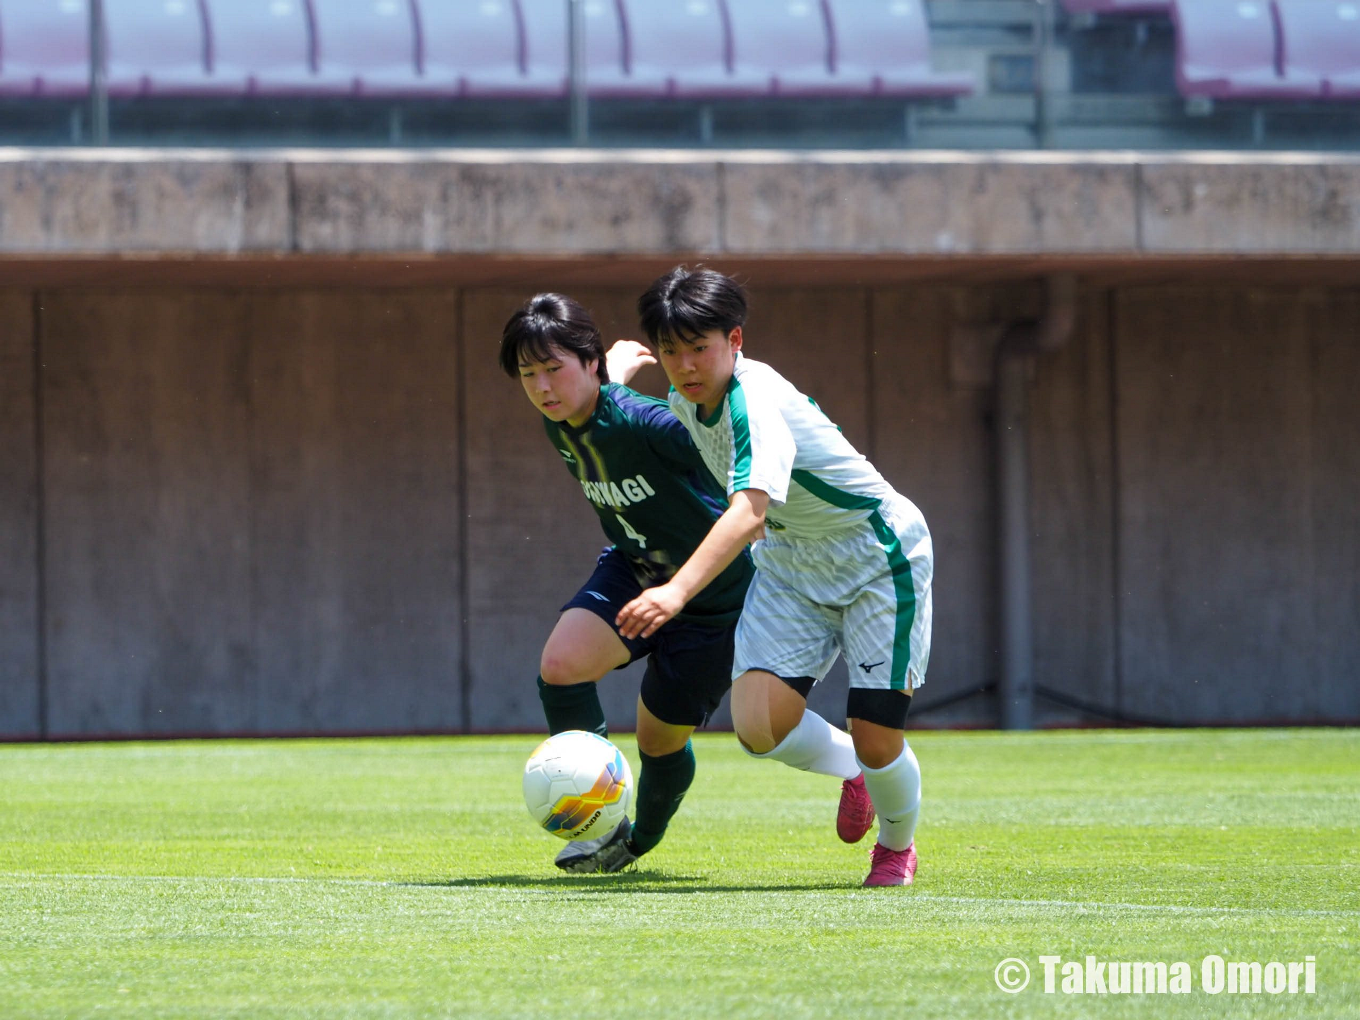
<point>405,879</point>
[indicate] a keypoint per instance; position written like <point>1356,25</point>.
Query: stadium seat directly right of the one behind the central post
<point>674,48</point>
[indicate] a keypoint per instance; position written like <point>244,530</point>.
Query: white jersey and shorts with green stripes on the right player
<point>848,564</point>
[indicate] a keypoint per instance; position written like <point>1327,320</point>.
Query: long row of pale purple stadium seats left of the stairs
<point>409,48</point>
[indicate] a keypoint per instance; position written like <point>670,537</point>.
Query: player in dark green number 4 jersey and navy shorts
<point>656,503</point>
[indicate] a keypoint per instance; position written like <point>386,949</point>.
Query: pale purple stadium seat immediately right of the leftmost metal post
<point>154,48</point>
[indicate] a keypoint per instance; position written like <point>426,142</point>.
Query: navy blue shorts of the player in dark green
<point>689,666</point>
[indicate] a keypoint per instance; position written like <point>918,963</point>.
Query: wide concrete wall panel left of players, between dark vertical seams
<point>250,513</point>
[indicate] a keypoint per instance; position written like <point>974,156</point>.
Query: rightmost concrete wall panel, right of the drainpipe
<point>1240,467</point>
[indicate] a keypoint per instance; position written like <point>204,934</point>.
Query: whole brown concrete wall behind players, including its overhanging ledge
<point>259,473</point>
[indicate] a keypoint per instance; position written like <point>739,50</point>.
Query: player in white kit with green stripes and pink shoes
<point>845,564</point>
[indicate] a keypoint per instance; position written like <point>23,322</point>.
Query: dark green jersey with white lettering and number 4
<point>653,494</point>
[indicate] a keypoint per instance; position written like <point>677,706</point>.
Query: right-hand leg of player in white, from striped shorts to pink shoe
<point>887,641</point>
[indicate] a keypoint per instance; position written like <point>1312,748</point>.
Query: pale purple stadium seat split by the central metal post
<point>547,61</point>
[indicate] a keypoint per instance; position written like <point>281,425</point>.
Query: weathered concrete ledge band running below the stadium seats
<point>584,202</point>
